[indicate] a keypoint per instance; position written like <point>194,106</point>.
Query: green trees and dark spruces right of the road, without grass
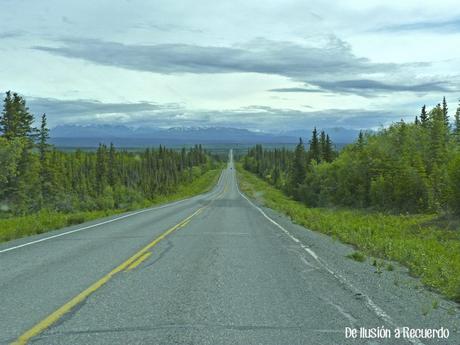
<point>407,167</point>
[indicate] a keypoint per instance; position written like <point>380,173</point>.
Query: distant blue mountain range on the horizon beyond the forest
<point>125,136</point>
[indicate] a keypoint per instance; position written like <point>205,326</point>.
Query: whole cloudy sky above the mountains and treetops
<point>262,65</point>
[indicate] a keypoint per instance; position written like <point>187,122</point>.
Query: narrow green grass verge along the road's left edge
<point>46,220</point>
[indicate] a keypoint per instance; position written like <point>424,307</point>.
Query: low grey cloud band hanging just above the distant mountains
<point>169,115</point>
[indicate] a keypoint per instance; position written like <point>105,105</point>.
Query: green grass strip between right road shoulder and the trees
<point>416,241</point>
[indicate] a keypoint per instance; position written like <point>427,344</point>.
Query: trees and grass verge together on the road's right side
<point>393,194</point>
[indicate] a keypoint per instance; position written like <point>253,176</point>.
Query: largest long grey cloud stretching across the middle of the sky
<point>259,56</point>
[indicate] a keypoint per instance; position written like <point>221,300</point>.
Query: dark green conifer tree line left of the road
<point>35,175</point>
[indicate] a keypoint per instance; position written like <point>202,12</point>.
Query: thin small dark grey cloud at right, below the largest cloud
<point>367,87</point>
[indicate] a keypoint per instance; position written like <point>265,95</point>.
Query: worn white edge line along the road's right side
<point>369,302</point>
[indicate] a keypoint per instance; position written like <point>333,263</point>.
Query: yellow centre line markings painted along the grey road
<point>128,265</point>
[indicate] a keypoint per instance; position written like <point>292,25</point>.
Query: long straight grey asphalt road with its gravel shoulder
<point>214,269</point>
